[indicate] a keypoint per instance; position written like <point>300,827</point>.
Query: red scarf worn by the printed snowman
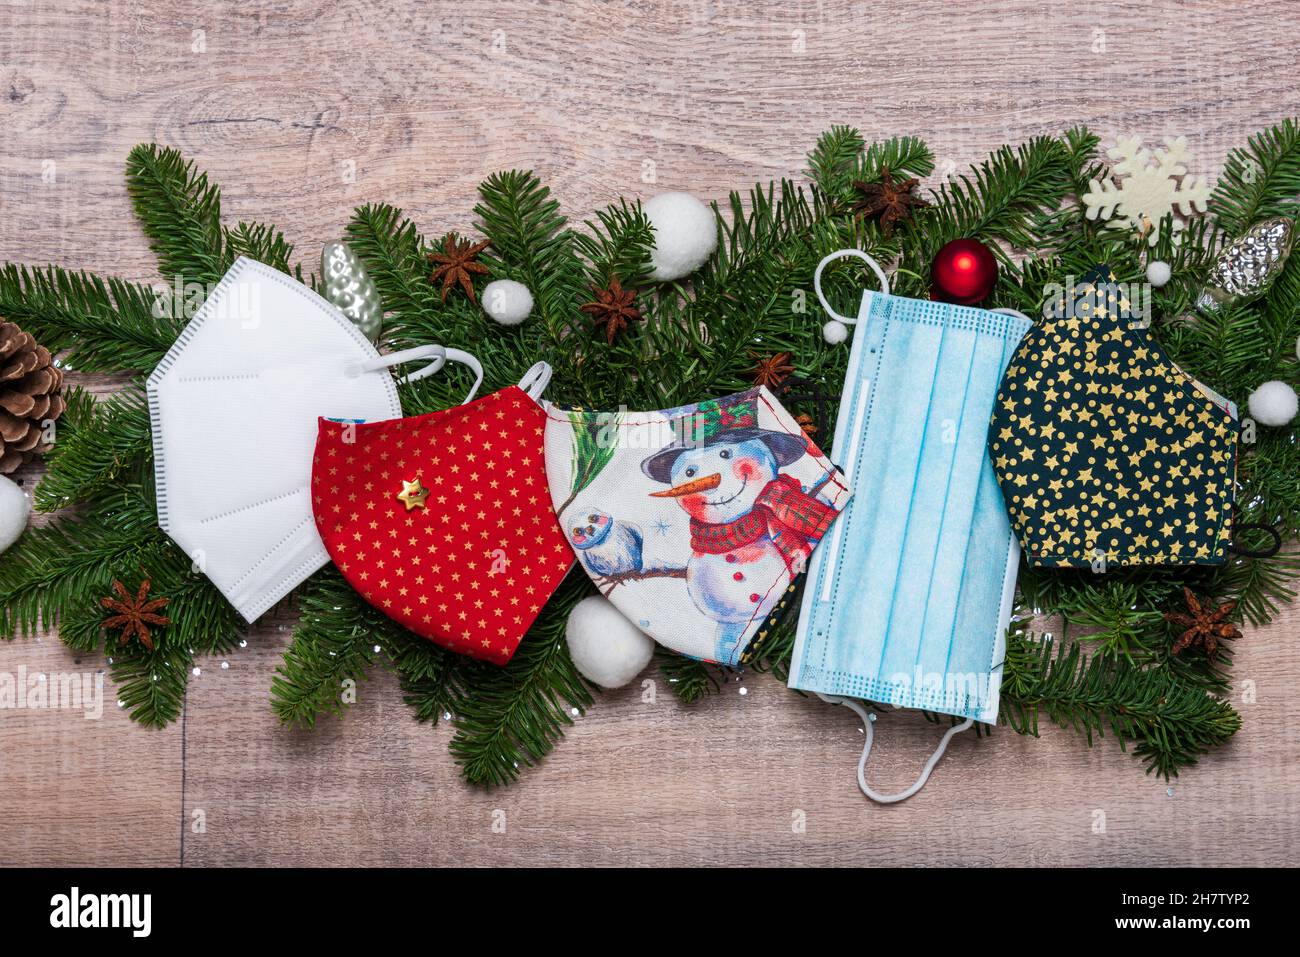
<point>783,510</point>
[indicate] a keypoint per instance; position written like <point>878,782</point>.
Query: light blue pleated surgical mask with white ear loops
<point>909,599</point>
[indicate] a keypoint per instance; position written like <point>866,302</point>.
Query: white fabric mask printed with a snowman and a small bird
<point>692,521</point>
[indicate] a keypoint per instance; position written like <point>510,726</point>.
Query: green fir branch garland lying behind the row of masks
<point>744,315</point>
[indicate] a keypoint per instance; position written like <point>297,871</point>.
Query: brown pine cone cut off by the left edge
<point>29,396</point>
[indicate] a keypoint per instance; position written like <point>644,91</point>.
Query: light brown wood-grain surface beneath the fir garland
<point>279,101</point>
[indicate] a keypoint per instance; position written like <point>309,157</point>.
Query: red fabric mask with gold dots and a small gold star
<point>444,522</point>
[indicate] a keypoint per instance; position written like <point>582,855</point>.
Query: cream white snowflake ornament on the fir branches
<point>1146,187</point>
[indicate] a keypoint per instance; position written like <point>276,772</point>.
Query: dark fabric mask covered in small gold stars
<point>1108,454</point>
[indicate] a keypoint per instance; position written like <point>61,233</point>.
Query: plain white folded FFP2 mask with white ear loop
<point>235,410</point>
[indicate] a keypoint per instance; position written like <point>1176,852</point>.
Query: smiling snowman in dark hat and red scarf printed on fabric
<point>752,527</point>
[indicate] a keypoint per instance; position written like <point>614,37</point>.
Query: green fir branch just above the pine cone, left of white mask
<point>98,326</point>
